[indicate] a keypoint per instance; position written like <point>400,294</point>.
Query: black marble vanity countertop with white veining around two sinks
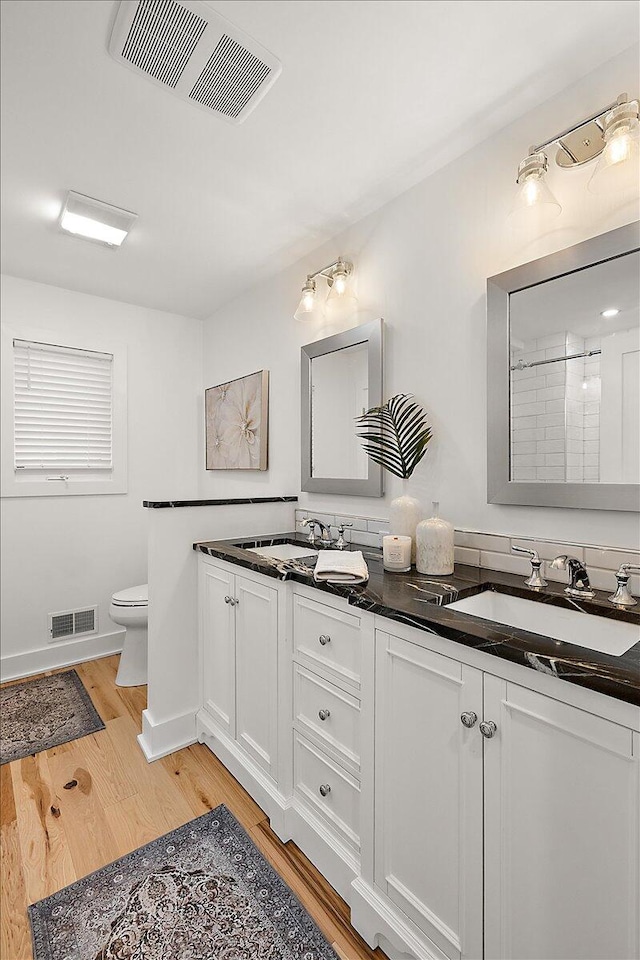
<point>420,601</point>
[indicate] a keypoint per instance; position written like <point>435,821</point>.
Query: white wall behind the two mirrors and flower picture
<point>422,263</point>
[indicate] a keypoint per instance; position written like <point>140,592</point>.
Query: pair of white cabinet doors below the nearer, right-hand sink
<point>543,813</point>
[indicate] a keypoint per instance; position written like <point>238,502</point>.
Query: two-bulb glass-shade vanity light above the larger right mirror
<point>612,135</point>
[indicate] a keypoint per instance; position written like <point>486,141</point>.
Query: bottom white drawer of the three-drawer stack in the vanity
<point>338,804</point>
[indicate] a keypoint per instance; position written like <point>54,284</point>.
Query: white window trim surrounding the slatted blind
<point>15,486</point>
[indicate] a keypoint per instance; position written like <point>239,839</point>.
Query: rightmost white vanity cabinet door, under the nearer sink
<point>561,831</point>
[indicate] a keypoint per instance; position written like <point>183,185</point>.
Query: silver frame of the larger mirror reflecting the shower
<point>500,487</point>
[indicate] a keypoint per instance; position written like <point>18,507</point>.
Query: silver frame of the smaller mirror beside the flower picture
<point>370,333</point>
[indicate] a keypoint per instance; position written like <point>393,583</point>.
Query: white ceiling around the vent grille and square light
<point>369,89</point>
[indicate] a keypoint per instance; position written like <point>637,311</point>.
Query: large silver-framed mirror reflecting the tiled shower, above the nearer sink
<point>564,377</point>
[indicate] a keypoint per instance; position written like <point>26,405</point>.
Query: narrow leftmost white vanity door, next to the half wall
<point>217,625</point>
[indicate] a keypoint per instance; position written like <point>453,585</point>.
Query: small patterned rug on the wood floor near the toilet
<point>39,714</point>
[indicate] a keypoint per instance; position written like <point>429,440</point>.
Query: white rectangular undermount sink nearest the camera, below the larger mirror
<point>603,634</point>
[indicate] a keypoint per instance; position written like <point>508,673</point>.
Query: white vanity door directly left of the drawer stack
<point>257,671</point>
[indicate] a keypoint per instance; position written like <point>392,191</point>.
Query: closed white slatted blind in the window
<point>63,408</point>
